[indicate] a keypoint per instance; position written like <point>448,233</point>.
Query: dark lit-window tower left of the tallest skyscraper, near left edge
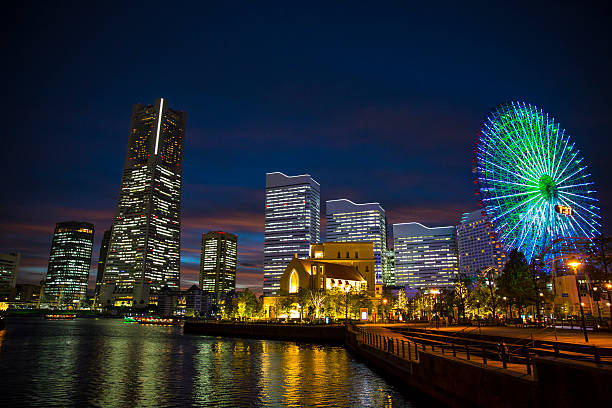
<point>69,263</point>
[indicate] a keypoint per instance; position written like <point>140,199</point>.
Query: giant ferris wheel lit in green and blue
<point>533,183</point>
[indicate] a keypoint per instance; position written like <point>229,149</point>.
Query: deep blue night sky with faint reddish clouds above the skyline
<point>377,103</point>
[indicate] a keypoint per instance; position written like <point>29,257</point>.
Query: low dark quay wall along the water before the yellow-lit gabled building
<point>308,333</point>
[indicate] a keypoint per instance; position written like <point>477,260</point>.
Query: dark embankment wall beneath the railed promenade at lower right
<point>460,383</point>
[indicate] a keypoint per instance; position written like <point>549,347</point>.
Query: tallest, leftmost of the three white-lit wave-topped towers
<point>293,205</point>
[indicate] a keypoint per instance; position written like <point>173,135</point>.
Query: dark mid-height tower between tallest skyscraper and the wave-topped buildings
<point>218,262</point>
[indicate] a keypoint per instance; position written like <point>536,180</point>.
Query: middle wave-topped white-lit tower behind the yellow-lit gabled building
<point>350,222</point>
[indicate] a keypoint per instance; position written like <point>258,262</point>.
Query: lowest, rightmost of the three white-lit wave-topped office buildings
<point>425,257</point>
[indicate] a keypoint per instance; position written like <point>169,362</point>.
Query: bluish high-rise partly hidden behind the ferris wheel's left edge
<point>478,247</point>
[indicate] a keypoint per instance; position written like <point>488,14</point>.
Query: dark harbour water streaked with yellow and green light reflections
<point>105,362</point>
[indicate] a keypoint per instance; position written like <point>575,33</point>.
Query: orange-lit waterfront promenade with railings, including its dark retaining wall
<point>505,367</point>
